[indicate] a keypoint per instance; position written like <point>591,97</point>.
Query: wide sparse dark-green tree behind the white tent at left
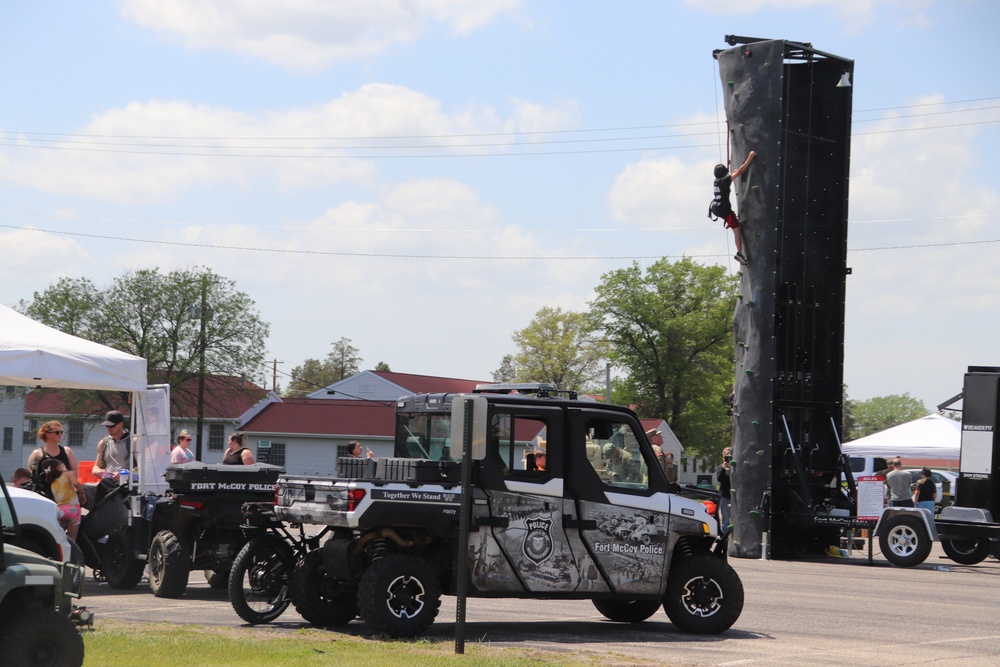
<point>157,316</point>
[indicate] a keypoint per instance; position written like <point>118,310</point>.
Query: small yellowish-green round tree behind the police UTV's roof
<point>560,347</point>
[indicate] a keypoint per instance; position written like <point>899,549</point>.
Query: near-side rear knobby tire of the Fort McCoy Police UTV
<point>399,595</point>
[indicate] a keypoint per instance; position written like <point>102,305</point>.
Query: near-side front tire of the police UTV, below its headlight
<point>704,595</point>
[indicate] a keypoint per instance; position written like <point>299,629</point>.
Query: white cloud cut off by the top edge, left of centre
<point>307,34</point>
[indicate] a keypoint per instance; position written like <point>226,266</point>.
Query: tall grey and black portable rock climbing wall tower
<point>783,101</point>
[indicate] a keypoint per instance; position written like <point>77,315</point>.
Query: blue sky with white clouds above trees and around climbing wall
<point>422,176</point>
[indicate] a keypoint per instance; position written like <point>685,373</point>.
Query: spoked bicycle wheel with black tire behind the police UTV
<point>259,579</point>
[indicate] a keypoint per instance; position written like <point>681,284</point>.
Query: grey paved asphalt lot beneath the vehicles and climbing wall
<point>812,612</point>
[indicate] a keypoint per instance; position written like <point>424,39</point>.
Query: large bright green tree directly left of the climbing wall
<point>670,329</point>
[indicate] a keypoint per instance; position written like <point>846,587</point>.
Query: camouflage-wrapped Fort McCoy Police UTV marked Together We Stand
<point>603,528</point>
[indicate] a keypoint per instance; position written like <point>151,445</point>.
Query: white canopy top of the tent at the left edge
<point>33,354</point>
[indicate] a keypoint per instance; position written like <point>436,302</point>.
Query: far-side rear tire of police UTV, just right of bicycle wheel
<point>319,599</point>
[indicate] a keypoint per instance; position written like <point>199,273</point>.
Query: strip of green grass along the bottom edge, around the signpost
<point>123,644</point>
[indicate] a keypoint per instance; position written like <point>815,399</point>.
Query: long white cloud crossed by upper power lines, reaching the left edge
<point>120,154</point>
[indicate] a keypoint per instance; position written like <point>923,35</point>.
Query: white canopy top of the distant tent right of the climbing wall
<point>931,437</point>
